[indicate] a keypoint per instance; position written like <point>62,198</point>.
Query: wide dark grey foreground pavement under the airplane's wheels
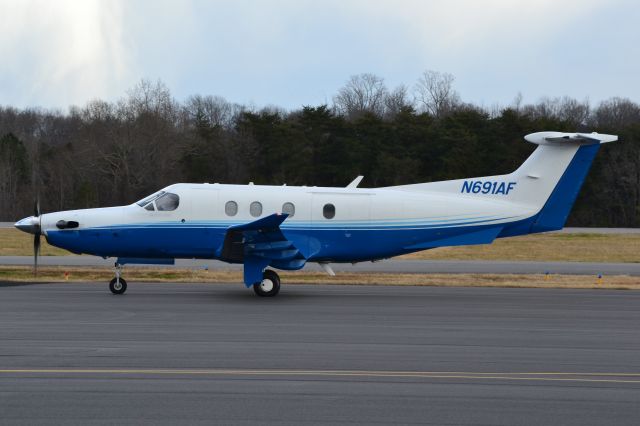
<point>202,353</point>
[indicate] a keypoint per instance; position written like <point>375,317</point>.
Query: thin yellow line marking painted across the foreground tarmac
<point>522,376</point>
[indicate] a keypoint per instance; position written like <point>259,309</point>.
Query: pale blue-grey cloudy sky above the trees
<point>297,52</point>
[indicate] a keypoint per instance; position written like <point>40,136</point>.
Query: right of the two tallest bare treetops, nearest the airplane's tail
<point>435,94</point>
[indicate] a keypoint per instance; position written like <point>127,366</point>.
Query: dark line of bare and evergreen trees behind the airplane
<point>113,153</point>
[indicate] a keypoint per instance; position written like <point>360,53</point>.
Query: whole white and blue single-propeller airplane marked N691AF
<point>285,227</point>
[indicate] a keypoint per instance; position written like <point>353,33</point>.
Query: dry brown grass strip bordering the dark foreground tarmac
<point>57,274</point>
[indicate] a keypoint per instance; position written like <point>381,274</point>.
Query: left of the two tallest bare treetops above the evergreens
<point>362,93</point>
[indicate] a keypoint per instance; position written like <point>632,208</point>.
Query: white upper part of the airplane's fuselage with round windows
<point>354,207</point>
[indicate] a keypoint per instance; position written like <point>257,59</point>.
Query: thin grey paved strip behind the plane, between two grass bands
<point>386,266</point>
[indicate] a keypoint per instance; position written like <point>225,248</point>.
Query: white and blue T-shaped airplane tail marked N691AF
<point>546,184</point>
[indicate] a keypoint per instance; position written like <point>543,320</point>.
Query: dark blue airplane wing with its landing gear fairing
<point>259,244</point>
